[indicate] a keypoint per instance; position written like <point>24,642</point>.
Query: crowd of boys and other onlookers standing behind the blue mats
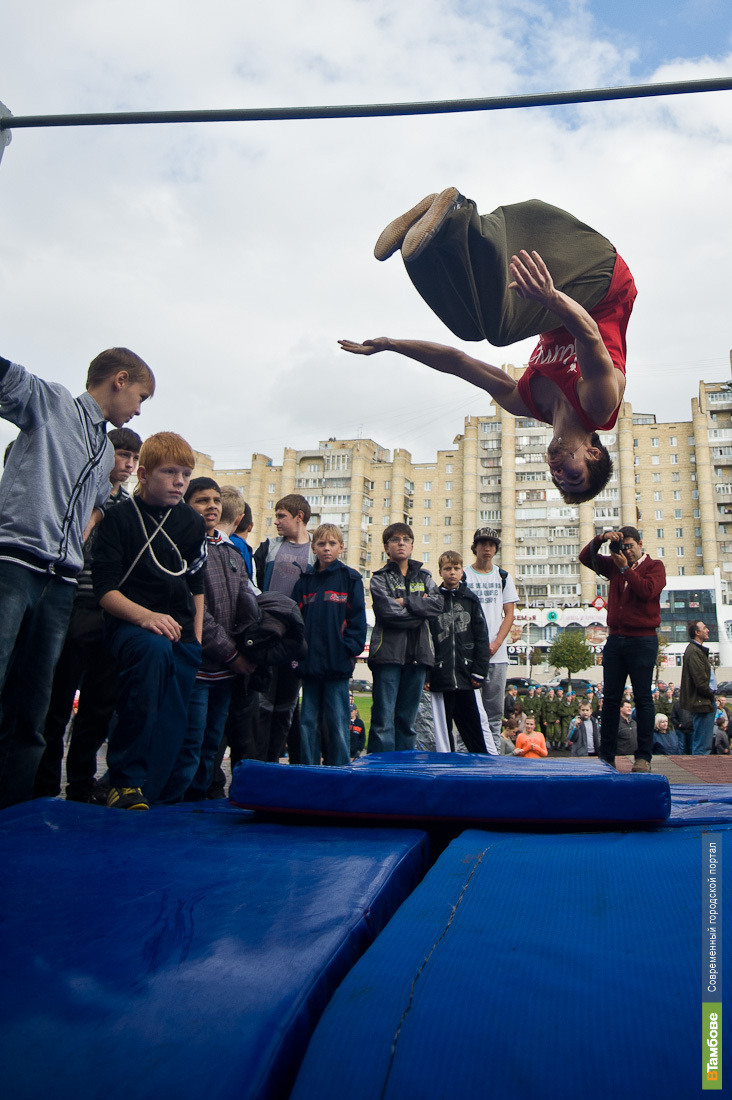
<point>144,602</point>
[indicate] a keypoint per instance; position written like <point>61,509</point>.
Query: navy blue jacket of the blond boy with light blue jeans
<point>333,607</point>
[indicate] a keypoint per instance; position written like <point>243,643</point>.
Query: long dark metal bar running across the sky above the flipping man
<point>368,111</point>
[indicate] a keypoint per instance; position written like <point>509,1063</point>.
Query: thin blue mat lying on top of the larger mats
<point>444,787</point>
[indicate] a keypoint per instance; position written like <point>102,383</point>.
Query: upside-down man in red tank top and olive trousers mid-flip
<point>573,291</point>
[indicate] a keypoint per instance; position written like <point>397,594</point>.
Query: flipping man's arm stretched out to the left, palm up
<point>449,361</point>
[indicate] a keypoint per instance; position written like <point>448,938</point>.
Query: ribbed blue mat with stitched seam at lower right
<point>530,967</point>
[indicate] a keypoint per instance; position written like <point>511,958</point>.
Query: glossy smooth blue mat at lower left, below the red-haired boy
<point>180,954</point>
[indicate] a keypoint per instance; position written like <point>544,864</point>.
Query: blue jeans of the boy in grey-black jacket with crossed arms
<point>397,695</point>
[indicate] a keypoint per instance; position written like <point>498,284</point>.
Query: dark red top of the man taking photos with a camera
<point>635,600</point>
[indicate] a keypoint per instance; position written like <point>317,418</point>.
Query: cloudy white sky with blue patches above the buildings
<point>232,257</point>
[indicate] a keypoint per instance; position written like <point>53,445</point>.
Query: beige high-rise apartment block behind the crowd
<point>673,481</point>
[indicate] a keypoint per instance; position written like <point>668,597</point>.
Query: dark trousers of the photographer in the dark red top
<point>625,657</point>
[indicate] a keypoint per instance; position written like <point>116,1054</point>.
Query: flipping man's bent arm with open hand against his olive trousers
<point>604,392</point>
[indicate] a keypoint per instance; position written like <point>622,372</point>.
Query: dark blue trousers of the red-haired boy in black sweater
<point>157,679</point>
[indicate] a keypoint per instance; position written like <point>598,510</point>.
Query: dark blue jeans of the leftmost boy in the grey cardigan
<point>36,612</point>
